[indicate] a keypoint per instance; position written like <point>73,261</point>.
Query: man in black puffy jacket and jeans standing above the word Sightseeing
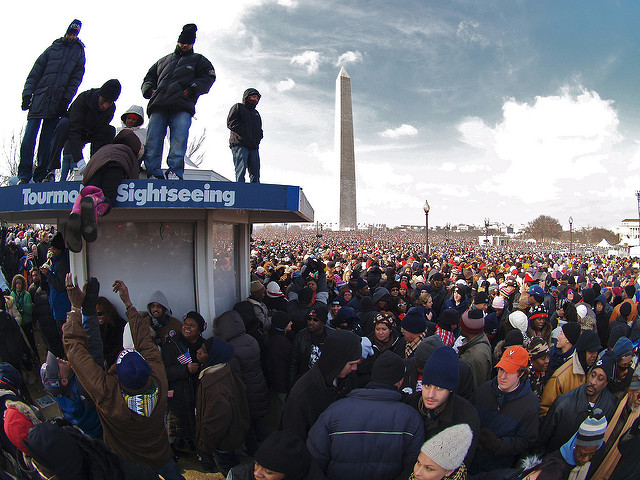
<point>173,85</point>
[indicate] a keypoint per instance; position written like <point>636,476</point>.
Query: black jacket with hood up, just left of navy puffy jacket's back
<point>320,386</point>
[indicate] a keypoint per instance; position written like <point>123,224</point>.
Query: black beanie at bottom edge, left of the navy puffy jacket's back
<point>284,452</point>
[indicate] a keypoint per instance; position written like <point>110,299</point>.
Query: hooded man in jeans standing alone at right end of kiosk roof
<point>246,132</point>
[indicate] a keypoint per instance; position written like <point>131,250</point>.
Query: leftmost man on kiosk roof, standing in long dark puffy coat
<point>50,86</point>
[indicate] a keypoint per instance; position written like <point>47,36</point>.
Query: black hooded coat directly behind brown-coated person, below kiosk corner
<point>246,360</point>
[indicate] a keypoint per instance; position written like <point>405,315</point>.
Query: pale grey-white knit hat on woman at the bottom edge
<point>449,447</point>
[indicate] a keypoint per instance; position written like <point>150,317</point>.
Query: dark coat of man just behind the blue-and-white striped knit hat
<point>566,414</point>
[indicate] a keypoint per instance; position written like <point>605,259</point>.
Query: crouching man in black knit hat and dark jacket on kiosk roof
<point>89,120</point>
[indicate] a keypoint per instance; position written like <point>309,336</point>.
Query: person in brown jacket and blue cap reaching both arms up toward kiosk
<point>131,397</point>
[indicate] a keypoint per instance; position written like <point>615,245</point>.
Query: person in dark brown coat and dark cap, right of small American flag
<point>222,410</point>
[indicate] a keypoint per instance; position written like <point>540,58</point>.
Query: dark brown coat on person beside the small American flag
<point>222,410</point>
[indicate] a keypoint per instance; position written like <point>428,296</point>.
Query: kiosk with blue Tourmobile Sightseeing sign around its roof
<point>187,238</point>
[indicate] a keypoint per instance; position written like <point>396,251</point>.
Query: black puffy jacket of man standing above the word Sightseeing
<point>170,76</point>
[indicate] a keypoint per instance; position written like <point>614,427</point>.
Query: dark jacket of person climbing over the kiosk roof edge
<point>124,151</point>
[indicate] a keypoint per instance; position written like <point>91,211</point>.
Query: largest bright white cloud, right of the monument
<point>555,139</point>
